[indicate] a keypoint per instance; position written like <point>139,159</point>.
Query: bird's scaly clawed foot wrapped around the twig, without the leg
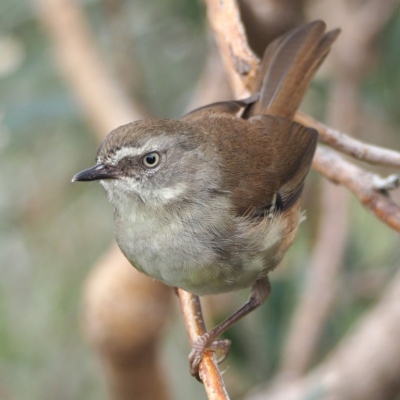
<point>205,343</point>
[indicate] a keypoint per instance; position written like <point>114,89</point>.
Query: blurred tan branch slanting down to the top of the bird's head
<point>104,103</point>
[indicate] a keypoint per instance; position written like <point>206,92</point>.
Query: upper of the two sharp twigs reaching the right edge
<point>346,144</point>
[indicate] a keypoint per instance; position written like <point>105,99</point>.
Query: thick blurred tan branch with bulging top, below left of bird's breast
<point>124,316</point>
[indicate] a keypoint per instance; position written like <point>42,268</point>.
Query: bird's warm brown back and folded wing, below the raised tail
<point>260,160</point>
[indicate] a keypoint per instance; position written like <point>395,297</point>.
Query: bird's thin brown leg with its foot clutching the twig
<point>259,293</point>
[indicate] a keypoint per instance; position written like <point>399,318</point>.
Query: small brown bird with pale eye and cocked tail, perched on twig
<point>211,203</point>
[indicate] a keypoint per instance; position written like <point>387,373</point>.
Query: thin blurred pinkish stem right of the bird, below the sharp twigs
<point>318,294</point>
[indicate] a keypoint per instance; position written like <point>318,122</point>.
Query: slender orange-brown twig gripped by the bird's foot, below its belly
<point>194,322</point>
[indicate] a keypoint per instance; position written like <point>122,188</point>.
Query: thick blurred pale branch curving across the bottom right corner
<point>365,366</point>
